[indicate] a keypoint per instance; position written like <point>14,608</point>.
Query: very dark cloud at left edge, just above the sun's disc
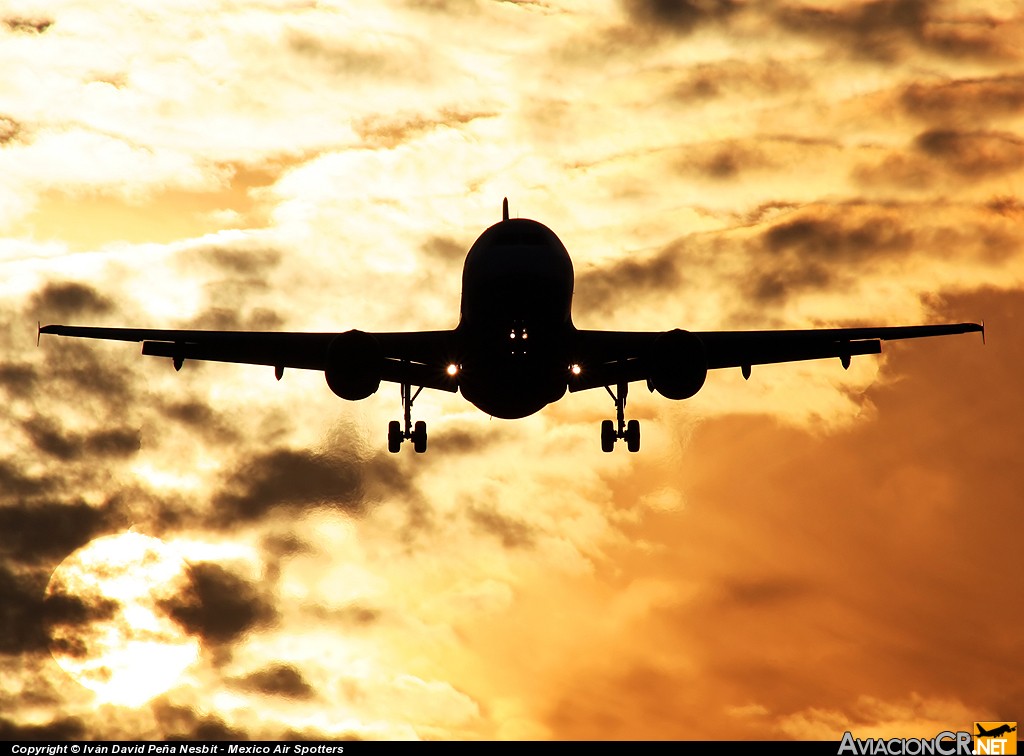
<point>50,531</point>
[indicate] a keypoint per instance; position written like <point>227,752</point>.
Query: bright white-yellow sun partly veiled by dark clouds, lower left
<point>118,642</point>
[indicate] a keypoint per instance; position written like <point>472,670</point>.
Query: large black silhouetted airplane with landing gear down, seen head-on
<point>516,349</point>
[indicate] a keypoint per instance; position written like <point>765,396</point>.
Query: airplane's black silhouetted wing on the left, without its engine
<point>416,358</point>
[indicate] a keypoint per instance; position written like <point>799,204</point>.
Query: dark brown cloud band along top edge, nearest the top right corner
<point>885,30</point>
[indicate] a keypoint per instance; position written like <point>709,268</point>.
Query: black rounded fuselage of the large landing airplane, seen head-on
<point>517,326</point>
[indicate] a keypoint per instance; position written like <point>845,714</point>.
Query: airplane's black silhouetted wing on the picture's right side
<point>609,358</point>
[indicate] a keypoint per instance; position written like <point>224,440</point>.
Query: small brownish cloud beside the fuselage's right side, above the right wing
<point>607,289</point>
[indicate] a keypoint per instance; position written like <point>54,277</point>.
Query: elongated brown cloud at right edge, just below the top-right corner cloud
<point>965,101</point>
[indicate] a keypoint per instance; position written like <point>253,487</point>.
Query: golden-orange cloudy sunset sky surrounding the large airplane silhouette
<point>214,554</point>
